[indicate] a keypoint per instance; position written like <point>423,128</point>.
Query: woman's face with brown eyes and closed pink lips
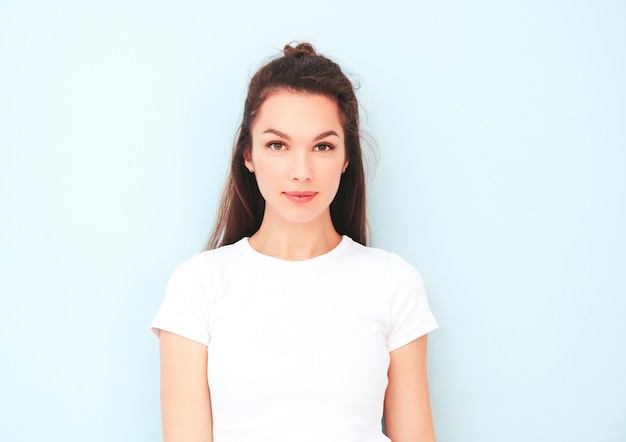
<point>298,154</point>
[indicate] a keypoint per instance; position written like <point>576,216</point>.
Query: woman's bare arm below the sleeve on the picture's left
<point>185,399</point>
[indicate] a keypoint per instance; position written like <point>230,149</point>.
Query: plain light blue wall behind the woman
<point>502,131</point>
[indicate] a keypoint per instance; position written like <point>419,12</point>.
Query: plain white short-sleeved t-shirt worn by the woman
<point>297,350</point>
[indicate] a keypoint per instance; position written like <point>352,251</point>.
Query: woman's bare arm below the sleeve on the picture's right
<point>407,403</point>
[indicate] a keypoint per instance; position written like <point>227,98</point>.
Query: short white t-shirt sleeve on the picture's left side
<point>187,303</point>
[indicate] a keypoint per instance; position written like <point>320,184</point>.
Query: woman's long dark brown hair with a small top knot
<point>299,69</point>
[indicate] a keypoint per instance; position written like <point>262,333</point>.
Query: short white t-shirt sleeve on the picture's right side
<point>409,311</point>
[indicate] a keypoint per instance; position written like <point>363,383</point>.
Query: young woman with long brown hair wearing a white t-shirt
<point>289,328</point>
